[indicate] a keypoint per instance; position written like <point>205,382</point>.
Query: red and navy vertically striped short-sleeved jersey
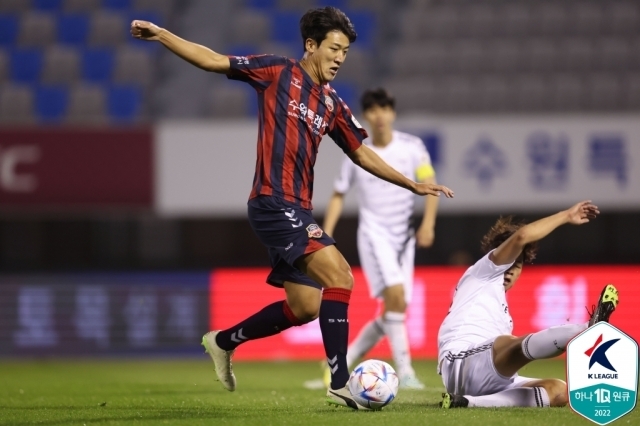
<point>294,113</point>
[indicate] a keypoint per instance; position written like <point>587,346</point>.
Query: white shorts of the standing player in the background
<point>384,265</point>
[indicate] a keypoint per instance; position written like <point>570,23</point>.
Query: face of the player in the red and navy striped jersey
<point>329,56</point>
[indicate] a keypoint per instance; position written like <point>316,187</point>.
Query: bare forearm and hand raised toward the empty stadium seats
<point>196,54</point>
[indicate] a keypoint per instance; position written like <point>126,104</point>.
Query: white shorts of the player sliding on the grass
<point>472,372</point>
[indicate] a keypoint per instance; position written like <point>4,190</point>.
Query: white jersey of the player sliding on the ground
<point>479,310</point>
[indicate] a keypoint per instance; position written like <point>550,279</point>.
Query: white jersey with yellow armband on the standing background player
<point>385,208</point>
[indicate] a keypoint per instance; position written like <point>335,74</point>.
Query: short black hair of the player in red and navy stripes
<point>317,23</point>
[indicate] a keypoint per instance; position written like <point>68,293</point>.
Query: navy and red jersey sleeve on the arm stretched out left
<point>257,70</point>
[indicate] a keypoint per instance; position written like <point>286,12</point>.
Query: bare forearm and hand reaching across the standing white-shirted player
<point>371,162</point>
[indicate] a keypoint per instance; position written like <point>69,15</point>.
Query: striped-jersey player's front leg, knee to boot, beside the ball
<point>329,268</point>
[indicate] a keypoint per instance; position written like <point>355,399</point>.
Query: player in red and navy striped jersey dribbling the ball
<point>297,106</point>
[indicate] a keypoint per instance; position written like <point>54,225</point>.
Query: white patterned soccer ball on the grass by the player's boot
<point>373,384</point>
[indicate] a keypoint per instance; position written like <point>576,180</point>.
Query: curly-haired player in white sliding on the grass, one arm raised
<point>478,357</point>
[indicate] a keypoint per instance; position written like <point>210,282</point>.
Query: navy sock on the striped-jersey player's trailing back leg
<point>272,319</point>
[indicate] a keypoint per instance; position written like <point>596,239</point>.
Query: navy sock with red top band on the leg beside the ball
<point>334,325</point>
